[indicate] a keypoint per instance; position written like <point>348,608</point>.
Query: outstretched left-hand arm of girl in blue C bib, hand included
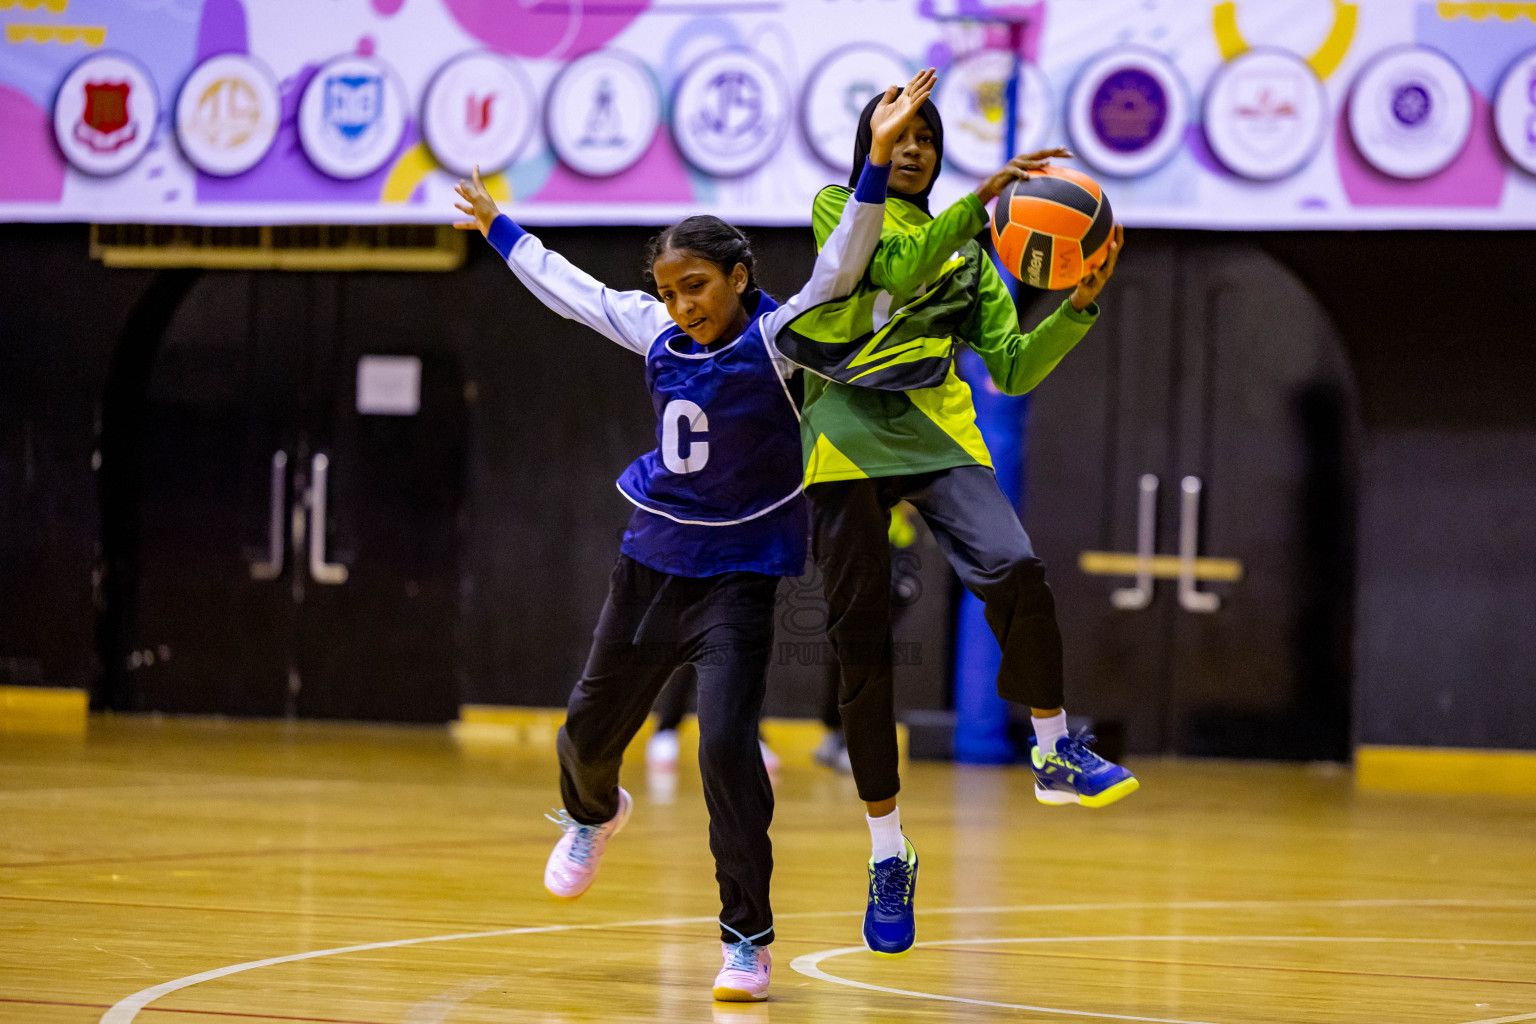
<point>629,319</point>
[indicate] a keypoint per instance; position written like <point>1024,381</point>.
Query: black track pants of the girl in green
<point>981,535</point>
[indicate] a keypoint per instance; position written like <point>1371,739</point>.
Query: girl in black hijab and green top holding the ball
<point>887,420</point>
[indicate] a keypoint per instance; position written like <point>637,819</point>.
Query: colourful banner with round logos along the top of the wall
<point>1309,114</point>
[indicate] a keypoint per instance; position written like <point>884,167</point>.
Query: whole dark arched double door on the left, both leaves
<point>297,557</point>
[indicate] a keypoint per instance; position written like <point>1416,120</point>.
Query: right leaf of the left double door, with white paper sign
<point>379,636</point>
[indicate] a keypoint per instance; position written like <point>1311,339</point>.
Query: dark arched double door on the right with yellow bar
<point>1210,411</point>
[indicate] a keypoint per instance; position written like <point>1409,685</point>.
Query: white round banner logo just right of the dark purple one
<point>1265,114</point>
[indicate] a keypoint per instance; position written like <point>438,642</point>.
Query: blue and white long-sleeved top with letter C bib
<point>721,492</point>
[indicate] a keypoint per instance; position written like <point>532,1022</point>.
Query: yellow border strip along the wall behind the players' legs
<point>492,727</point>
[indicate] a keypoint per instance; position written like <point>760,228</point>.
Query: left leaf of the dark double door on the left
<point>211,633</point>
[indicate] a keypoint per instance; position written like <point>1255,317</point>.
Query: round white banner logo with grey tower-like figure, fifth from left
<point>603,113</point>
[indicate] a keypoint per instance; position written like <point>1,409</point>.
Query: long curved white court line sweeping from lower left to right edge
<point>127,1009</point>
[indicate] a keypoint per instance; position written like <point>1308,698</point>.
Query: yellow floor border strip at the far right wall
<point>1446,770</point>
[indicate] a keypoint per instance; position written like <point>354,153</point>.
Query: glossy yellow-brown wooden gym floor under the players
<point>193,871</point>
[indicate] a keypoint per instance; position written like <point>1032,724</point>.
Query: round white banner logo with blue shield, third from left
<point>353,117</point>
